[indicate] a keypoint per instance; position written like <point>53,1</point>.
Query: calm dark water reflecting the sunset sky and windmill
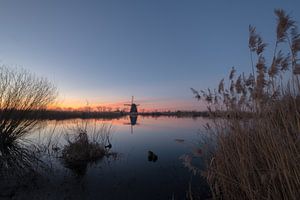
<point>129,173</point>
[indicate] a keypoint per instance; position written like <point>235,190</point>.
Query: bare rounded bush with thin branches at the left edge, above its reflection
<point>22,96</point>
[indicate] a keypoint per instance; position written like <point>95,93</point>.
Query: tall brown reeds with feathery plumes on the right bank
<point>257,155</point>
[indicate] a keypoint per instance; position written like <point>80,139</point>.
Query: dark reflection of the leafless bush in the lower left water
<point>19,166</point>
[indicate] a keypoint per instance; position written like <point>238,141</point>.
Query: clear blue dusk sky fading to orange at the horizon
<point>103,52</point>
